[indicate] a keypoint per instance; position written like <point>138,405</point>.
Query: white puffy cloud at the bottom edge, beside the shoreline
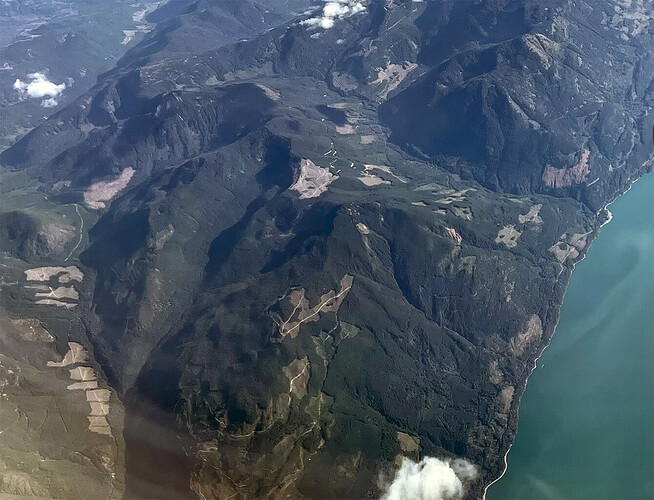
<point>430,479</point>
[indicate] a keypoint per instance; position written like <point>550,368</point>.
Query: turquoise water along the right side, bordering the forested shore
<point>586,425</point>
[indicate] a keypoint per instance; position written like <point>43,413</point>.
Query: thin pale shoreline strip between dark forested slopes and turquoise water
<point>595,233</point>
